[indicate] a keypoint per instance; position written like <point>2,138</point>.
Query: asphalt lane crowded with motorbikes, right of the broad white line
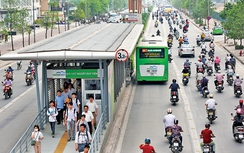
<point>226,102</point>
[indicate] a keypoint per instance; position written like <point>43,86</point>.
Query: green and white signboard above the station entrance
<point>73,73</point>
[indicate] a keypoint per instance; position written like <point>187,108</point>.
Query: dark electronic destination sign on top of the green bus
<point>152,53</point>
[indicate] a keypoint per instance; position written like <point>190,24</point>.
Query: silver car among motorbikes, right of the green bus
<point>186,49</point>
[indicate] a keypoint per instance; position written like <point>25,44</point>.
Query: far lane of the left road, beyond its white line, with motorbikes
<point>19,84</point>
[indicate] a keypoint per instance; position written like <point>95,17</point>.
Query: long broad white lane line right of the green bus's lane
<point>192,127</point>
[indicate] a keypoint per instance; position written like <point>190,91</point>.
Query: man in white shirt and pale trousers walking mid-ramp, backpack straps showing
<point>70,120</point>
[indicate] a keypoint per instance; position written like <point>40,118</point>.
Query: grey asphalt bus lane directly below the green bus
<point>150,105</point>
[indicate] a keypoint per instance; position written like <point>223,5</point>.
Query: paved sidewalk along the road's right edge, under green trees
<point>226,46</point>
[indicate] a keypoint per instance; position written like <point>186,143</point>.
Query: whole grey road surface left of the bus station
<point>17,117</point>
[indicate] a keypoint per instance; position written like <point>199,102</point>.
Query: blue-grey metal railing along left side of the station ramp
<point>25,141</point>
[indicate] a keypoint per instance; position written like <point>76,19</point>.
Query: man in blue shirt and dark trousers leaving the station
<point>59,104</point>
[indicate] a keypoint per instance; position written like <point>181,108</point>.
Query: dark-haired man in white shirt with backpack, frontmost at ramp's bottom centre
<point>82,138</point>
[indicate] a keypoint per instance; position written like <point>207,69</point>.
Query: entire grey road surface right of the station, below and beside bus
<point>151,101</point>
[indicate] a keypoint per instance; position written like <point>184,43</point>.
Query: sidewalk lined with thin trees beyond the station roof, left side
<point>40,35</point>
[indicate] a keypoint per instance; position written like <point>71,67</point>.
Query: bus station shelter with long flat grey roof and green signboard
<point>87,53</point>
